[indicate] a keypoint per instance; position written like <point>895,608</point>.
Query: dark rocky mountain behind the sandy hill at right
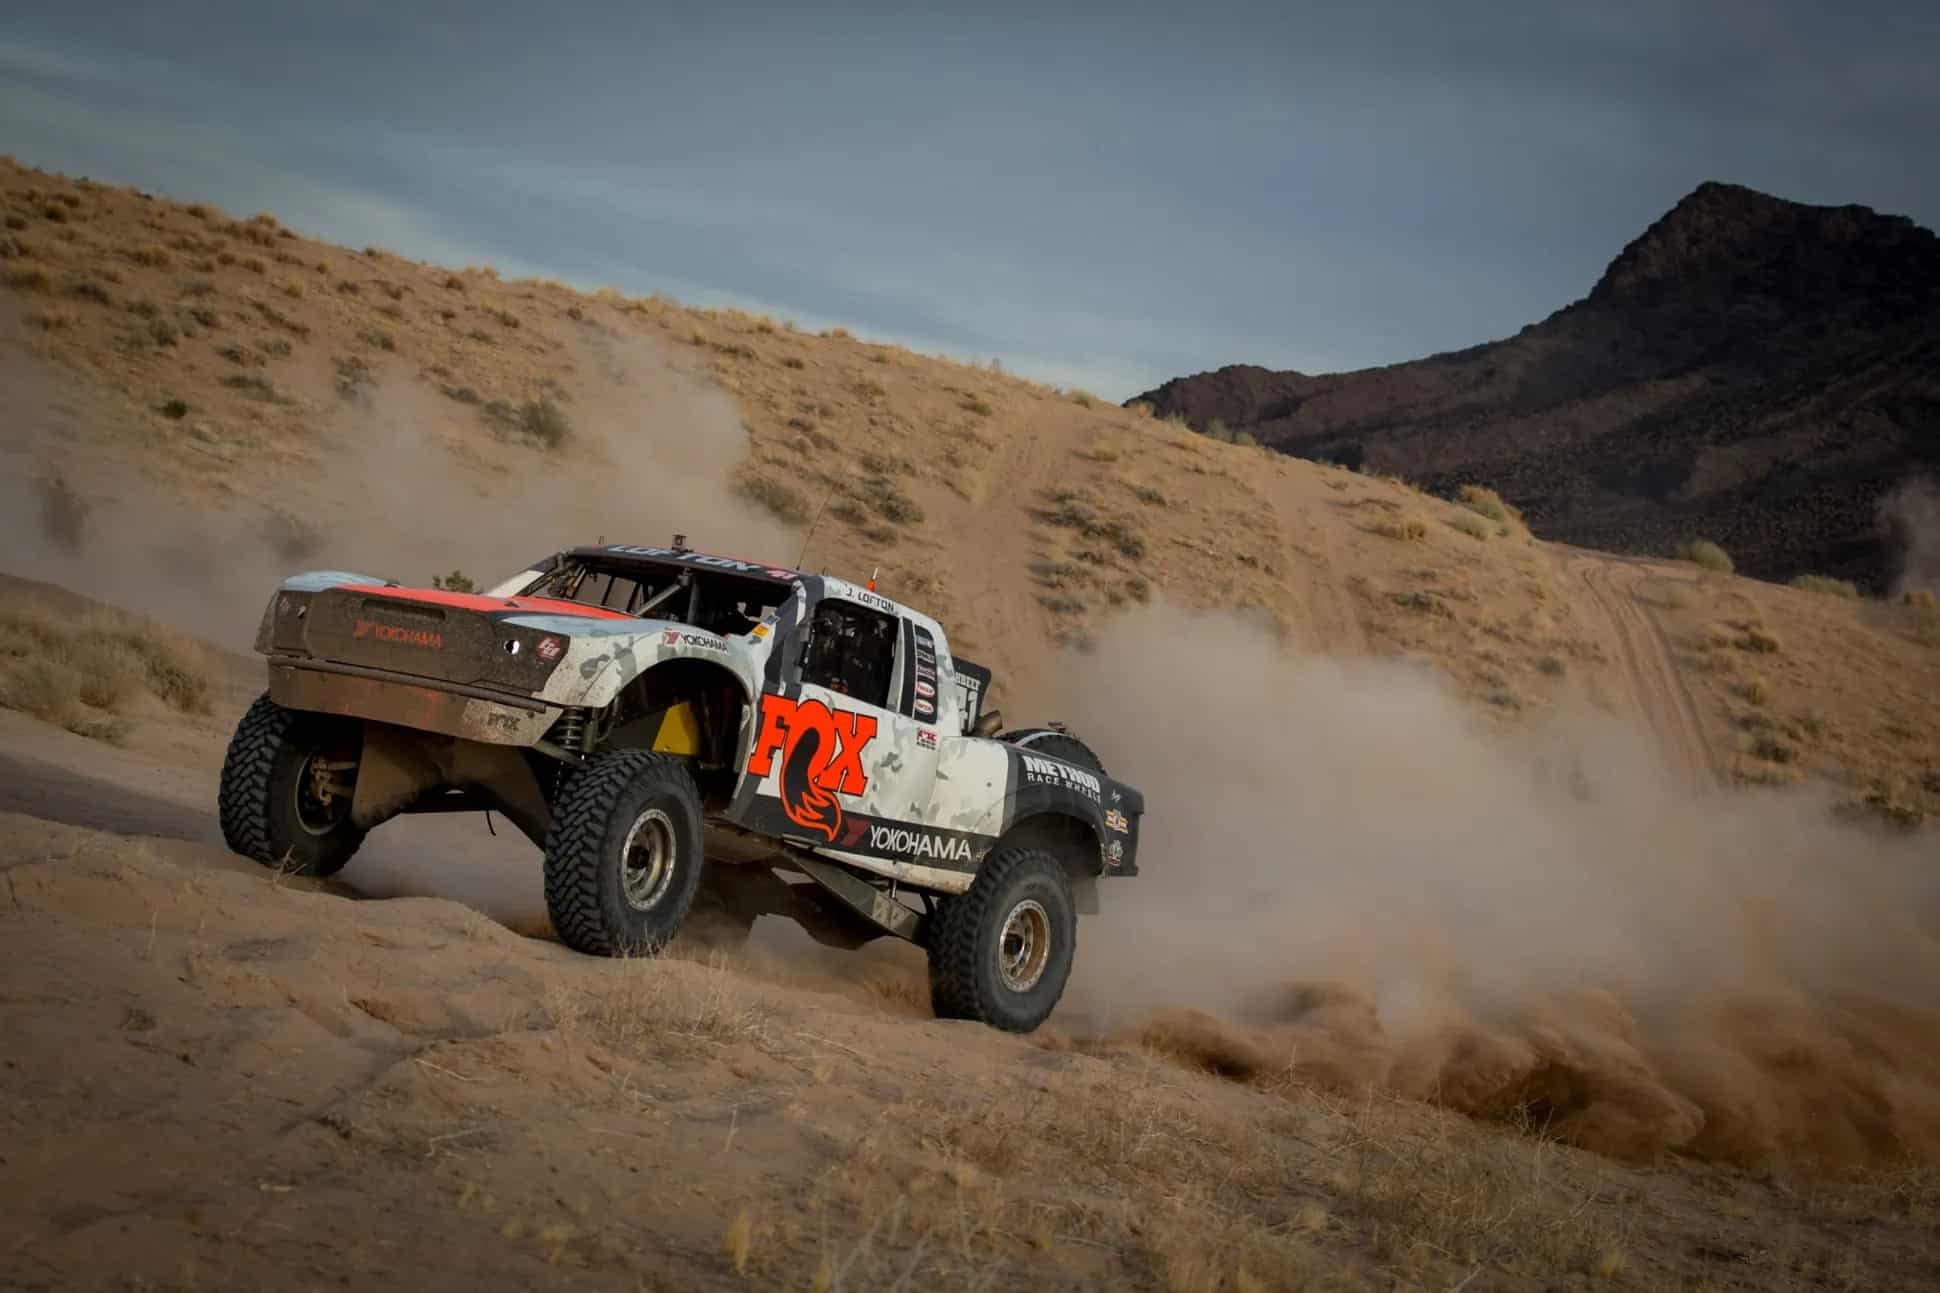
<point>1749,370</point>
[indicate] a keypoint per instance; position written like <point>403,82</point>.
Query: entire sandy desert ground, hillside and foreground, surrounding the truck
<point>1487,939</point>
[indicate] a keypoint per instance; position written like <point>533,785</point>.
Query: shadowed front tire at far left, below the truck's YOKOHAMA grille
<point>267,801</point>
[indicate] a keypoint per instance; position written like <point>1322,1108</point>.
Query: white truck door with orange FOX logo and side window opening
<point>847,739</point>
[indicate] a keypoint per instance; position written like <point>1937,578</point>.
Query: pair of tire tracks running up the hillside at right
<point>1652,675</point>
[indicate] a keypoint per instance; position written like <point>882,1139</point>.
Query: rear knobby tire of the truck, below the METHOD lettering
<point>1002,950</point>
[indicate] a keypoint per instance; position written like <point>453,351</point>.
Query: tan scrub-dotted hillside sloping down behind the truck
<point>201,405</point>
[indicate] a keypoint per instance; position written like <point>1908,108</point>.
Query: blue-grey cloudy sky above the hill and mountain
<point>1099,197</point>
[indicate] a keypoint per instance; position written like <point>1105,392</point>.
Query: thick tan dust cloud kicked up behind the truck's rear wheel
<point>1347,877</point>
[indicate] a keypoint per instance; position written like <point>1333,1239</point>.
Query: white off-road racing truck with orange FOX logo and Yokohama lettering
<point>697,739</point>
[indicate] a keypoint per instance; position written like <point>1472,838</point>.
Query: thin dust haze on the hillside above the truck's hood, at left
<point>395,481</point>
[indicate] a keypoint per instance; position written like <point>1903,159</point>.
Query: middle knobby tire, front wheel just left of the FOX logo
<point>624,855</point>
